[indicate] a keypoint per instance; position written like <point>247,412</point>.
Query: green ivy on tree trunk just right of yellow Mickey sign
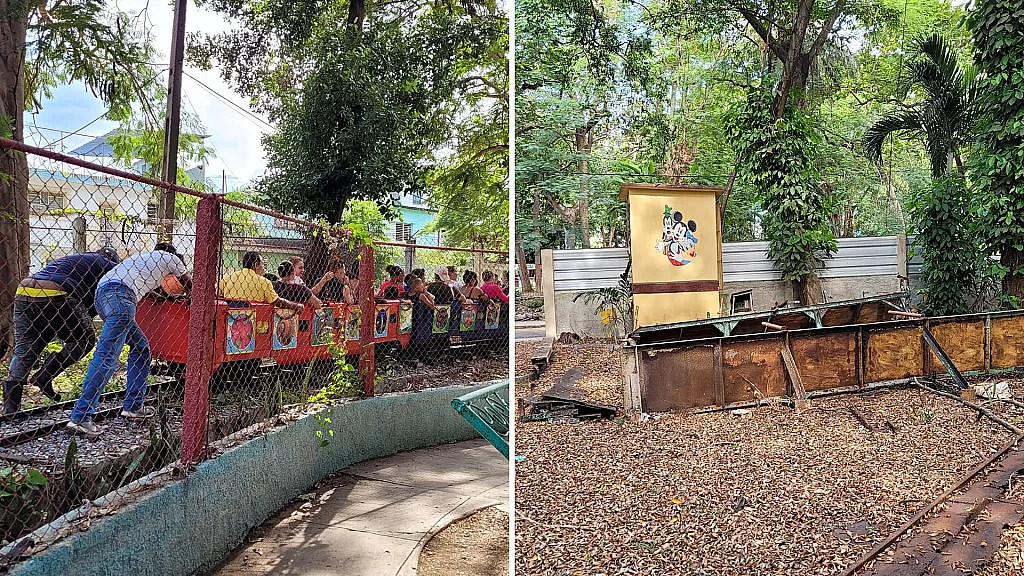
<point>779,166</point>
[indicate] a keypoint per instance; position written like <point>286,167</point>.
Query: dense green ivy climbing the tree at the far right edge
<point>998,28</point>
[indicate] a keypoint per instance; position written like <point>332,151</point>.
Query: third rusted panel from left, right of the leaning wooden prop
<point>827,361</point>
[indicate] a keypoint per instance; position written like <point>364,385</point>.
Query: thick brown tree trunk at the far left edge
<point>15,239</point>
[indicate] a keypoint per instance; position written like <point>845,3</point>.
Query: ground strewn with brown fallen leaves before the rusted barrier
<point>773,492</point>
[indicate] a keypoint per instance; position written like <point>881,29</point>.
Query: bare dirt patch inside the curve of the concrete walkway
<point>473,547</point>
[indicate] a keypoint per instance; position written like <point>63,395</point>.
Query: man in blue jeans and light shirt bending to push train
<point>117,296</point>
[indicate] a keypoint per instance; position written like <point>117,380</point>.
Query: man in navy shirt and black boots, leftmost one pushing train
<point>55,303</point>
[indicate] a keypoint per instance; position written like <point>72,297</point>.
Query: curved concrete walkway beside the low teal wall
<point>374,518</point>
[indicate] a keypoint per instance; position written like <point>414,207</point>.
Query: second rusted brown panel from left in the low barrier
<point>747,365</point>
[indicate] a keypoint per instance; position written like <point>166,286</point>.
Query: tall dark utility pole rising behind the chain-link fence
<point>173,124</point>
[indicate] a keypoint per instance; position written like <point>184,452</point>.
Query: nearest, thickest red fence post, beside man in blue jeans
<point>199,367</point>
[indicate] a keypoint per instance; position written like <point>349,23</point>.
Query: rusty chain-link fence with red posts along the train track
<point>136,342</point>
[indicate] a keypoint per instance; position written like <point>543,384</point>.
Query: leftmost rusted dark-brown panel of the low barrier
<point>678,379</point>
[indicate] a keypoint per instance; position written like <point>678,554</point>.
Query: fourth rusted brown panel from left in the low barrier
<point>893,353</point>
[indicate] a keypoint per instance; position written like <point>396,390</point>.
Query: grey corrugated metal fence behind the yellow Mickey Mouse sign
<point>743,262</point>
